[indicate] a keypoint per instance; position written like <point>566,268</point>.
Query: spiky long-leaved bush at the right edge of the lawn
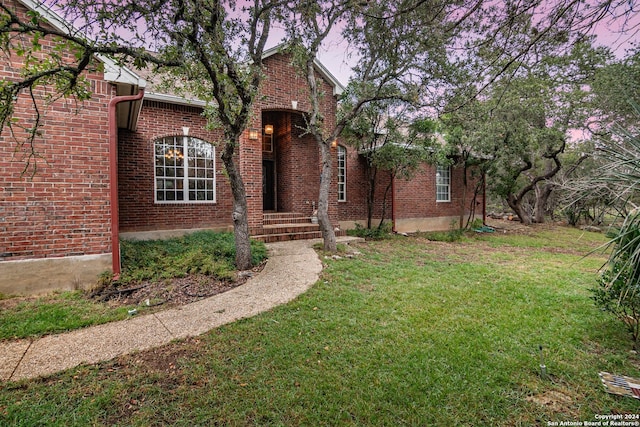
<point>618,289</point>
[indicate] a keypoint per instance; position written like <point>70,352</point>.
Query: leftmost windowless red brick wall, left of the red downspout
<point>63,209</point>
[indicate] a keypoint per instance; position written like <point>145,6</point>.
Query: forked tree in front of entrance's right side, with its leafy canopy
<point>401,49</point>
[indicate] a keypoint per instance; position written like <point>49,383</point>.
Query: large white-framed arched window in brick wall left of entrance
<point>185,170</point>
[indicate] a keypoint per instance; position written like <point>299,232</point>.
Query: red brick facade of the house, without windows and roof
<point>63,211</point>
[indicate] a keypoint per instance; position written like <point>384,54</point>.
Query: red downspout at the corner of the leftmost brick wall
<point>113,178</point>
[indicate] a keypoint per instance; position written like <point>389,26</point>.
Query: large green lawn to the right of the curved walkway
<point>411,332</point>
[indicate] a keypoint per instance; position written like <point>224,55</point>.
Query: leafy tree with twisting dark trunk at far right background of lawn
<point>522,124</point>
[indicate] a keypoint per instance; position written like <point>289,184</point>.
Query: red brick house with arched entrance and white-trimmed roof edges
<point>127,164</point>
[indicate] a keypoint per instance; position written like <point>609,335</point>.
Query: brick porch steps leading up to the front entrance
<point>280,227</point>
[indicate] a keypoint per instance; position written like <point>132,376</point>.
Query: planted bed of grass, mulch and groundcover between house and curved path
<point>156,274</point>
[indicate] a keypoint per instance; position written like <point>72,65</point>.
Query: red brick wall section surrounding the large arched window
<point>138,210</point>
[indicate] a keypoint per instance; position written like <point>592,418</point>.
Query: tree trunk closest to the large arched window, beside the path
<point>239,215</point>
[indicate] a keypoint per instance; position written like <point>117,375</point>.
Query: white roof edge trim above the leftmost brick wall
<point>113,72</point>
